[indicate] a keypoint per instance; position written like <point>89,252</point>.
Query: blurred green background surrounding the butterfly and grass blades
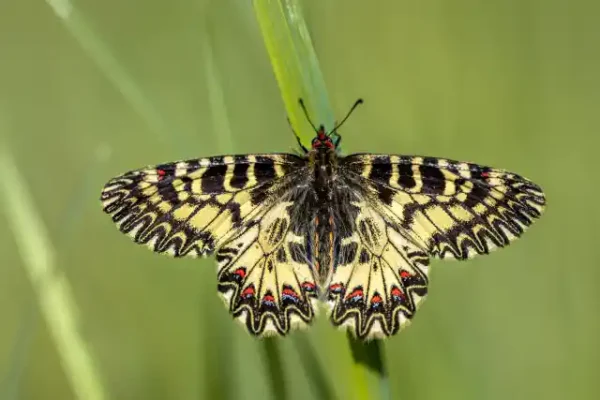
<point>121,84</point>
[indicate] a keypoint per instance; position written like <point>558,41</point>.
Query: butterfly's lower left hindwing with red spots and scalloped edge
<point>265,275</point>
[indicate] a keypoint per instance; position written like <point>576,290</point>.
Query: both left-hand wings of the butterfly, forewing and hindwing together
<point>239,207</point>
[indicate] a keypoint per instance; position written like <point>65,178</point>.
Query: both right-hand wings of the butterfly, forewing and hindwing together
<point>405,210</point>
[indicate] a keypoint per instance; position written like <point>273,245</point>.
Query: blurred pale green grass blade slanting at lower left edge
<point>56,302</point>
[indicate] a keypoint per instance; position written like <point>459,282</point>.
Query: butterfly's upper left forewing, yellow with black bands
<point>190,208</point>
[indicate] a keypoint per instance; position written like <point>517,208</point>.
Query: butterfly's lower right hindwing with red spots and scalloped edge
<point>380,279</point>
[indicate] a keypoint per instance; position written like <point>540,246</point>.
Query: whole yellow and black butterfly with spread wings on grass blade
<point>293,231</point>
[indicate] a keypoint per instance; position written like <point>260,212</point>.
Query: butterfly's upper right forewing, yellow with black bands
<point>452,209</point>
